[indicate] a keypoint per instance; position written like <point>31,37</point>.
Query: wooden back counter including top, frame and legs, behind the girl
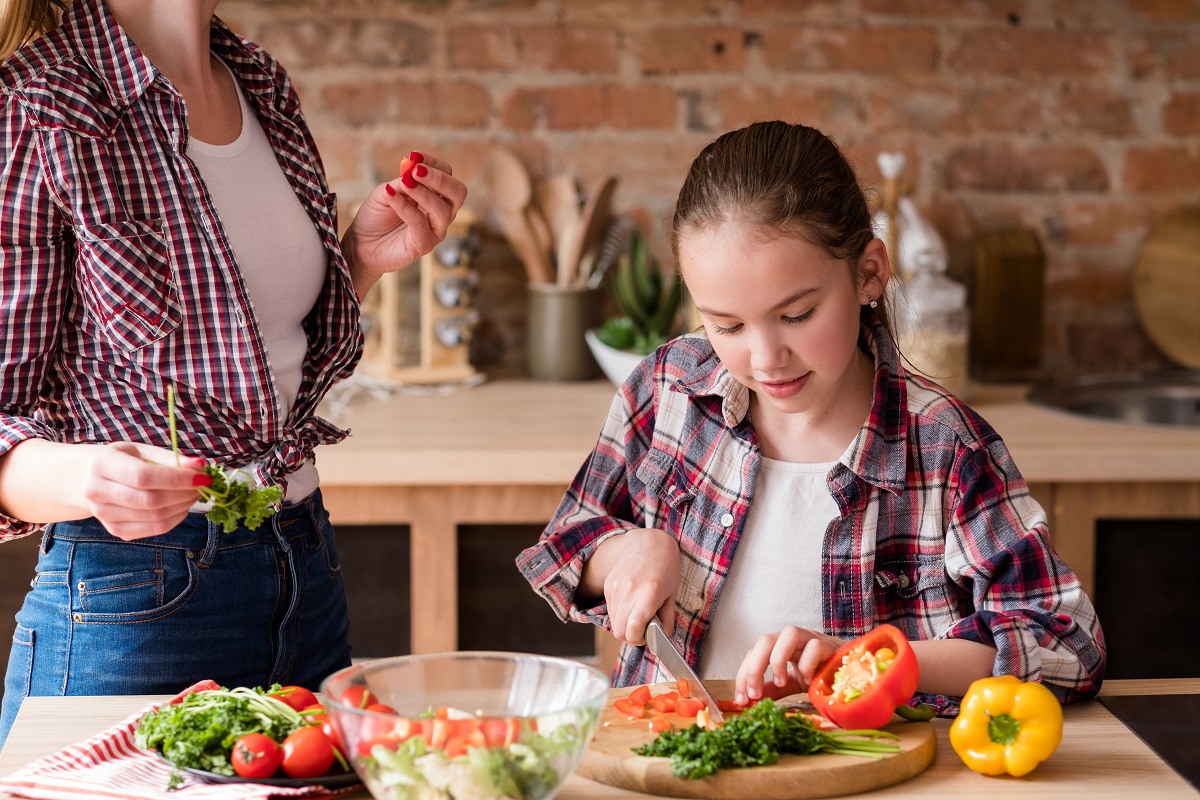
<point>506,452</point>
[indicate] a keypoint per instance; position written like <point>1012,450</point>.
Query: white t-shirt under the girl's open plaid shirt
<point>775,579</point>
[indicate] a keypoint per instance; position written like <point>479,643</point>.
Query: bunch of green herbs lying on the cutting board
<point>760,736</point>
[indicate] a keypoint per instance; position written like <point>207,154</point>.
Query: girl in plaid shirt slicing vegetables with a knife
<point>779,485</point>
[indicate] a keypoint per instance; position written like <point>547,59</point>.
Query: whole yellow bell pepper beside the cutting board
<point>1006,726</point>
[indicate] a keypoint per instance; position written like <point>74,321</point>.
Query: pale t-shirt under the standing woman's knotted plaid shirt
<point>278,249</point>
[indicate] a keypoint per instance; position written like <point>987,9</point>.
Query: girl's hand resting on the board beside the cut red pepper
<point>794,655</point>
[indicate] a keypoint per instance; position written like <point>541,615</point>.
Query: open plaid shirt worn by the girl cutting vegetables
<point>938,533</point>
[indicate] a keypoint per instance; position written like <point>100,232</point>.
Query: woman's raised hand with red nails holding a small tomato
<point>401,221</point>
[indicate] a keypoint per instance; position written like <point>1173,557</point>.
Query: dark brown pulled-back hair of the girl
<point>791,179</point>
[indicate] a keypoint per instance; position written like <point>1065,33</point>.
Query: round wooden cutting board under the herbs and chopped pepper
<point>610,760</point>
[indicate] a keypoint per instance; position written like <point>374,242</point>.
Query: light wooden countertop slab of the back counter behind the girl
<point>532,434</point>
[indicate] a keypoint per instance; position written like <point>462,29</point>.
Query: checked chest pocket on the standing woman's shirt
<point>127,281</point>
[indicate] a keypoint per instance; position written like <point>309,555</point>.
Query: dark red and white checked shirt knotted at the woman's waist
<point>116,276</point>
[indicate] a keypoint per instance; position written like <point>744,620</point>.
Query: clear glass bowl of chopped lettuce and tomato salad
<point>465,725</point>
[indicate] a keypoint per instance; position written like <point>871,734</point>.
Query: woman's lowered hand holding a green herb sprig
<point>137,491</point>
